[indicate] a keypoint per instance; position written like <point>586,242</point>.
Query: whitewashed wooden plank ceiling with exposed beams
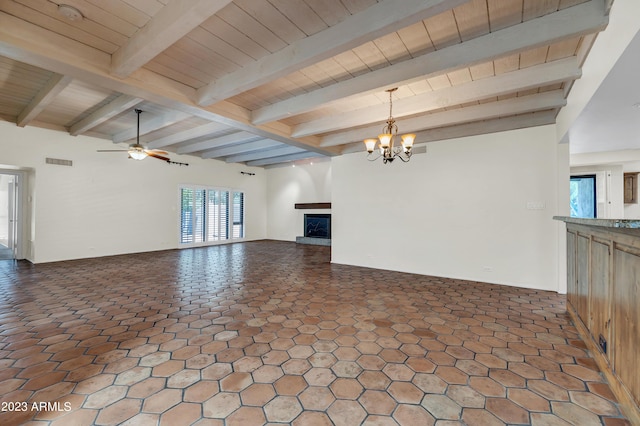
<point>265,82</point>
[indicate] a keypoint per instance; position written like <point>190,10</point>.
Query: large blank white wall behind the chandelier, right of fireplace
<point>458,211</point>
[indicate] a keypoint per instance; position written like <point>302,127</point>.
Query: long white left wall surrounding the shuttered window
<point>106,204</point>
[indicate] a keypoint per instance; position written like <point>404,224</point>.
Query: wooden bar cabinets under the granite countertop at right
<point>603,297</point>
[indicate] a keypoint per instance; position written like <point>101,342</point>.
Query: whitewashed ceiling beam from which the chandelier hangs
<point>511,82</point>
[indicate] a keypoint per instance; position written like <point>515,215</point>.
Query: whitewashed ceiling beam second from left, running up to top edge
<point>375,21</point>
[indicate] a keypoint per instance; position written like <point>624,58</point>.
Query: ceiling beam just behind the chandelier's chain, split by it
<point>507,107</point>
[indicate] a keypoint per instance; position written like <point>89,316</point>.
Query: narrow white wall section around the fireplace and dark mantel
<point>290,185</point>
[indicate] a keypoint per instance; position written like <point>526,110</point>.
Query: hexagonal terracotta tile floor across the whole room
<point>271,332</point>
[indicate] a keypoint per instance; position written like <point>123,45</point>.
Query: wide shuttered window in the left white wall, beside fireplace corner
<point>210,215</point>
